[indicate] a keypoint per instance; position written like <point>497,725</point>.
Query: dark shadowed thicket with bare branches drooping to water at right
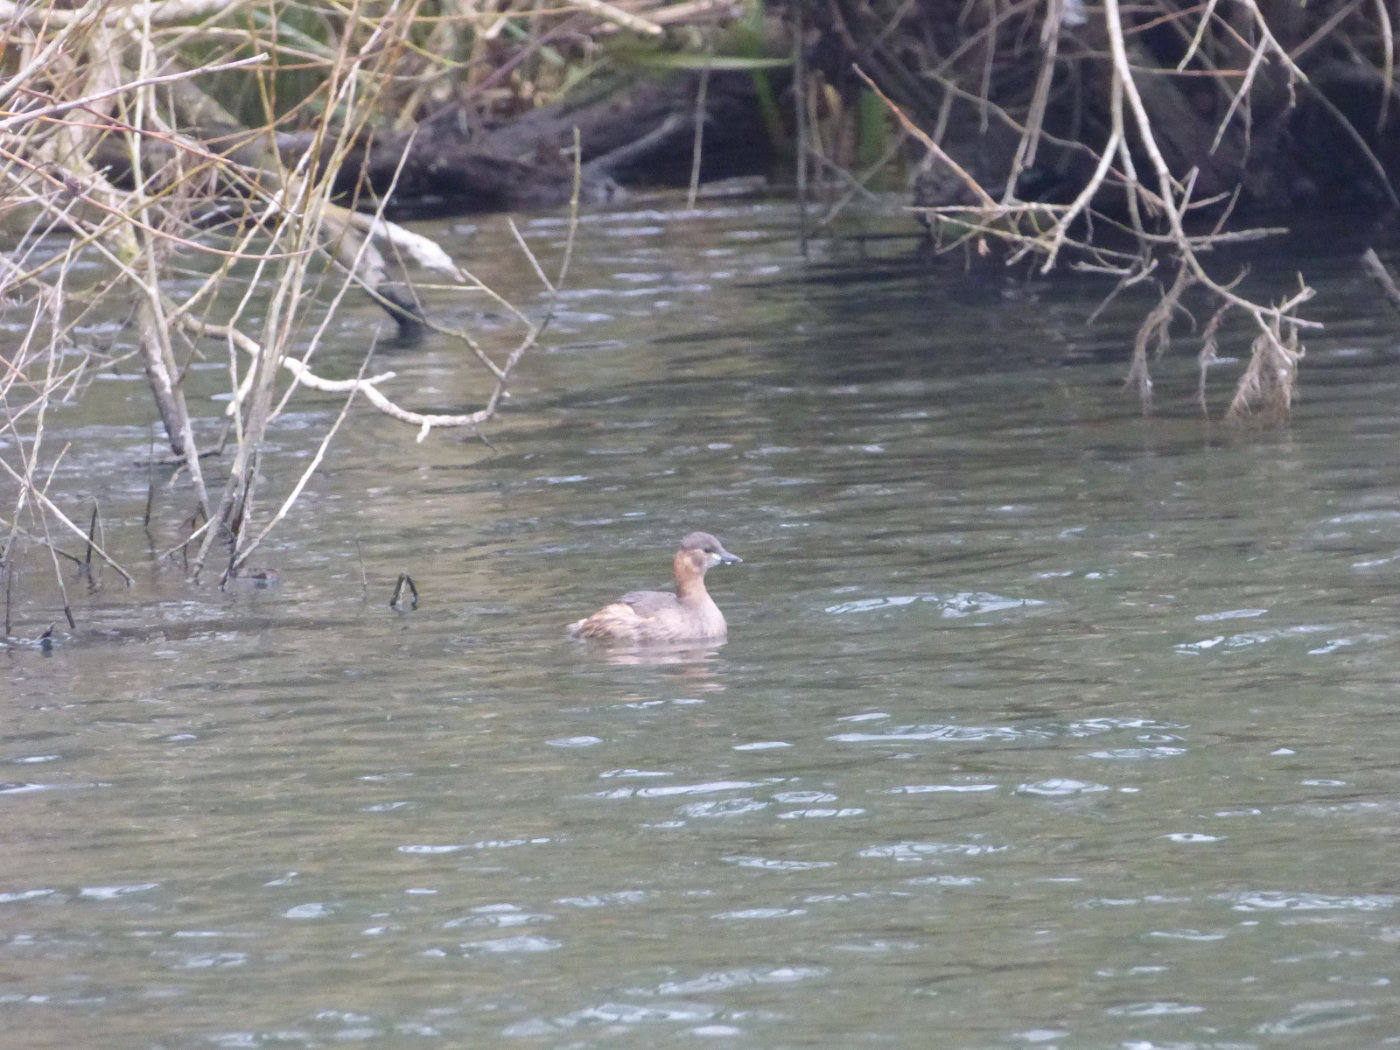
<point>1121,139</point>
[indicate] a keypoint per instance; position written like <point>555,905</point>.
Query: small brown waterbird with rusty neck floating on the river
<point>660,617</point>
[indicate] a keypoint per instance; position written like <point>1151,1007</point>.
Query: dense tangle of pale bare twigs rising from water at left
<point>150,139</point>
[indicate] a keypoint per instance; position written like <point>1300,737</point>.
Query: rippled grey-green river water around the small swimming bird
<point>1042,724</point>
